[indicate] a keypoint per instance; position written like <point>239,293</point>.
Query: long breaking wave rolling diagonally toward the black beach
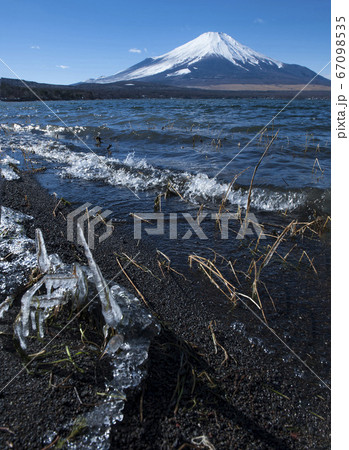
<point>137,174</point>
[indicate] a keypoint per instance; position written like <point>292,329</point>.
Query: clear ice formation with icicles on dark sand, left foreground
<point>131,326</point>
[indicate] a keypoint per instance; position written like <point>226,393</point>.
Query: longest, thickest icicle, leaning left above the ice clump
<point>110,309</point>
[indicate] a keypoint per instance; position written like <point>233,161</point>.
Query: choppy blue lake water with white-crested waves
<point>183,142</point>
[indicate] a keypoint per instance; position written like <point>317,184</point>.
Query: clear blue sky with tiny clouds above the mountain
<point>70,41</point>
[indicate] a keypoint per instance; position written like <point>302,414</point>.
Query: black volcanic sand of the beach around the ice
<point>239,397</point>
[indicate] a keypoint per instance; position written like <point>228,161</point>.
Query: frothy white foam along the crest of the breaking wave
<point>137,174</point>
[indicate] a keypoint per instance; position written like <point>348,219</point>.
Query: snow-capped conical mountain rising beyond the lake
<point>214,59</point>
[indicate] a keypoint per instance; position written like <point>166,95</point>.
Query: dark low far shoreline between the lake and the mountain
<point>12,90</point>
